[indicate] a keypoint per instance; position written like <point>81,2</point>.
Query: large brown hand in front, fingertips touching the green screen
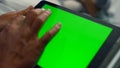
<point>19,45</point>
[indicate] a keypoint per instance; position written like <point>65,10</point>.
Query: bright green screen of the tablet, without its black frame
<point>76,43</point>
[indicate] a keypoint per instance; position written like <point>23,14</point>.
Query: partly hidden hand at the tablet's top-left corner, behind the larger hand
<point>8,17</point>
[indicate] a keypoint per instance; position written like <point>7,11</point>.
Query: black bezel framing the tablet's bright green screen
<point>108,44</point>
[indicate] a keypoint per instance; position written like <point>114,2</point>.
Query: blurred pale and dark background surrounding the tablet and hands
<point>104,10</point>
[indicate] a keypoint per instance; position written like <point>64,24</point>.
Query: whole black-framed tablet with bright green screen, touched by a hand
<point>82,42</point>
